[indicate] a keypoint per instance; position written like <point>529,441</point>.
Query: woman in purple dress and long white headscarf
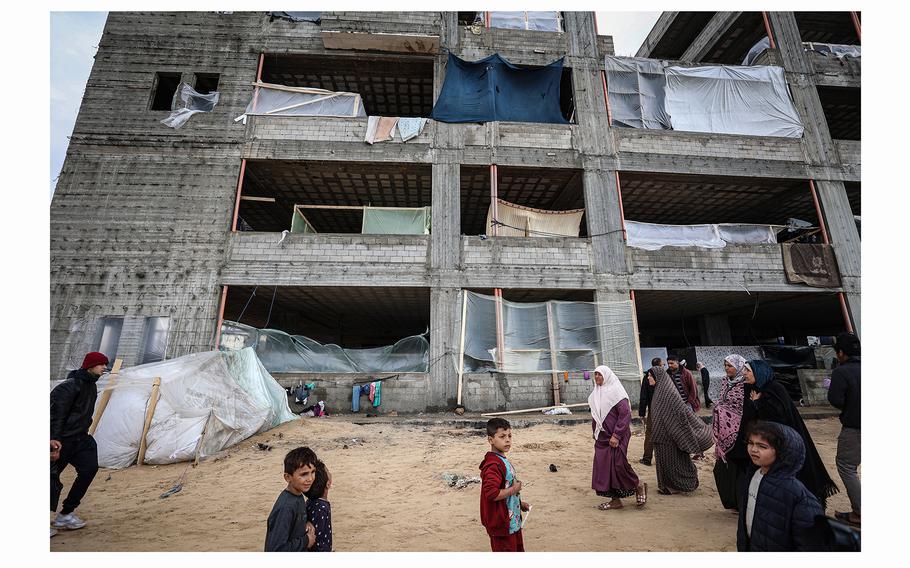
<point>611,416</point>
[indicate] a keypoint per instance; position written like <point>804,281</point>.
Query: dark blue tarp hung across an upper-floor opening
<point>494,89</point>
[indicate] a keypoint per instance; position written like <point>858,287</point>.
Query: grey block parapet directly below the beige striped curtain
<point>526,262</point>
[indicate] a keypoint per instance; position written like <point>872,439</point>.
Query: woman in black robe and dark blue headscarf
<point>770,401</point>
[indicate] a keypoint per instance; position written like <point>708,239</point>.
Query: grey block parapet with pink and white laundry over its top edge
<point>328,138</point>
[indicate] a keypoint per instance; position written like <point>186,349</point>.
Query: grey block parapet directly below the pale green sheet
<point>326,259</point>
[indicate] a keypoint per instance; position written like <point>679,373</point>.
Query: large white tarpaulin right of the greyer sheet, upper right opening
<point>729,99</point>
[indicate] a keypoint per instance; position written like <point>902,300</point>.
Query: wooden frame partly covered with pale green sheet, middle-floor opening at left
<point>376,220</point>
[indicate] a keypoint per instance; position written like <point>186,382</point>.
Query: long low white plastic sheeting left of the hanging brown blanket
<point>651,236</point>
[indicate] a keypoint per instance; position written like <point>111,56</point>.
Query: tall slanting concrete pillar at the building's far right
<point>820,150</point>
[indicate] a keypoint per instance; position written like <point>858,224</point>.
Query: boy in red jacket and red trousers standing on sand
<point>500,505</point>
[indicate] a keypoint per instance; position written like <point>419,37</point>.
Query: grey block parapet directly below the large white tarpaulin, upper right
<point>708,154</point>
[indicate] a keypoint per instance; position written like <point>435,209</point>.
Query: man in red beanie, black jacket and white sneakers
<point>72,406</point>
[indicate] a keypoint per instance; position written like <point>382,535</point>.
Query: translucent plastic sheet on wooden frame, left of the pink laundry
<point>281,100</point>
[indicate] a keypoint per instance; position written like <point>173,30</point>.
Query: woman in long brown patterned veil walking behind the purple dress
<point>677,434</point>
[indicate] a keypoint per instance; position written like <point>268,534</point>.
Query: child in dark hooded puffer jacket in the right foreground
<point>779,512</point>
